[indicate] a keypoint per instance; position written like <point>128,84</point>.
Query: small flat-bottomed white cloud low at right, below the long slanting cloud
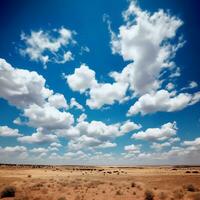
<point>166,131</point>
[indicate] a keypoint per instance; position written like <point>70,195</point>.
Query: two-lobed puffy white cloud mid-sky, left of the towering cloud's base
<point>83,79</point>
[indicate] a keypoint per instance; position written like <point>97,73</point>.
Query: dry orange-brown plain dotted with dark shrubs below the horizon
<point>99,183</point>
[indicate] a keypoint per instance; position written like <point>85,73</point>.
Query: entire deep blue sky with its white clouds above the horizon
<point>98,82</point>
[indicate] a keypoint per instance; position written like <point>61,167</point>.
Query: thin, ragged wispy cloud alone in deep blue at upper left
<point>41,46</point>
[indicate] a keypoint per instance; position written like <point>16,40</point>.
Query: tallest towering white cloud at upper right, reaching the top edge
<point>145,40</point>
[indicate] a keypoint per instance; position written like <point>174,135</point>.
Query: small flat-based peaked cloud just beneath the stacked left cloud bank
<point>38,137</point>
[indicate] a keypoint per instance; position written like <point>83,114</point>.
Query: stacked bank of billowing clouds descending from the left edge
<point>40,106</point>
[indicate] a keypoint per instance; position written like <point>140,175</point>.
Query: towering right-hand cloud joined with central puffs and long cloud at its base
<point>149,41</point>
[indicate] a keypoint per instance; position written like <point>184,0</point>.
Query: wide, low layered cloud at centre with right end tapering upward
<point>96,134</point>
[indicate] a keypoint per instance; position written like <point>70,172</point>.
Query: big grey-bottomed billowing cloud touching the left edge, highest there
<point>21,87</point>
